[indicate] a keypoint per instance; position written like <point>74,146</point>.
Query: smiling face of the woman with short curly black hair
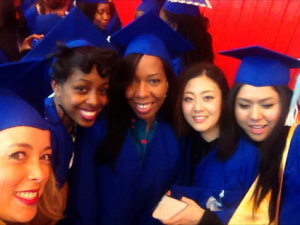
<point>82,97</point>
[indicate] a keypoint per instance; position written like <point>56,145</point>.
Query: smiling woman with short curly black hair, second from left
<point>80,81</point>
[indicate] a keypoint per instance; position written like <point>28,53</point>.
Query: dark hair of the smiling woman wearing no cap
<point>213,72</point>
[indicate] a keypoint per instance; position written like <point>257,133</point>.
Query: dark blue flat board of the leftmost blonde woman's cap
<point>27,80</point>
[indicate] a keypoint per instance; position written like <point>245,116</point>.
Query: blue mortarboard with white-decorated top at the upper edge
<point>186,7</point>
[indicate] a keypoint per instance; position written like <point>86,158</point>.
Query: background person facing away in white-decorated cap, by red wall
<point>189,22</point>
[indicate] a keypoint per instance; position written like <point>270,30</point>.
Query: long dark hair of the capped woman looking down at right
<point>271,149</point>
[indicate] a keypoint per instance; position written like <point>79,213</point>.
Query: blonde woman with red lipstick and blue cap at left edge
<point>27,183</point>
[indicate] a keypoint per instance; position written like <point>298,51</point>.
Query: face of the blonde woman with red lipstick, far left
<point>25,155</point>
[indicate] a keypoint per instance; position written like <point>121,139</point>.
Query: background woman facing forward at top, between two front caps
<point>103,14</point>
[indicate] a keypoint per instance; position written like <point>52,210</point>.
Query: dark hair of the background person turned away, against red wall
<point>194,29</point>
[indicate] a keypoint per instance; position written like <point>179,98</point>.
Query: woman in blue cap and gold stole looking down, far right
<point>257,108</point>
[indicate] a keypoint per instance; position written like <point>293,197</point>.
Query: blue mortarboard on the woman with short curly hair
<point>74,26</point>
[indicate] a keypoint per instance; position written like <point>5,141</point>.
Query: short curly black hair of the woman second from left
<point>82,58</point>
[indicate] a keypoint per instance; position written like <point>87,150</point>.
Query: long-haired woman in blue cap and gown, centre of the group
<point>137,154</point>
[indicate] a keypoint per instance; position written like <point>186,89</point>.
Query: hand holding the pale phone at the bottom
<point>191,215</point>
